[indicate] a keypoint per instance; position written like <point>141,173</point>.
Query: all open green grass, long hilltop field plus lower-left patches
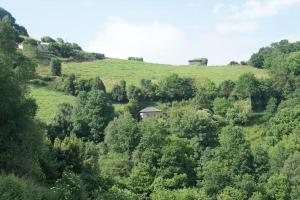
<point>113,70</point>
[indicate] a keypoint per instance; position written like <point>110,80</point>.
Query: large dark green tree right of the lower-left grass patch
<point>92,113</point>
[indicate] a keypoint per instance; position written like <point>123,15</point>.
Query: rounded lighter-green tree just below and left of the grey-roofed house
<point>122,134</point>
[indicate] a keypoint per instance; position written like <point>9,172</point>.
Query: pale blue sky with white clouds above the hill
<point>163,31</point>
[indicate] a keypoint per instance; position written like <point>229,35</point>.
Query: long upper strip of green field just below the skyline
<point>113,70</point>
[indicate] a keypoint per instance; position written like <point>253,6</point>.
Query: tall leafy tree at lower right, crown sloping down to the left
<point>232,158</point>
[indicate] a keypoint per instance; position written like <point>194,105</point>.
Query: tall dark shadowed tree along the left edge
<point>20,135</point>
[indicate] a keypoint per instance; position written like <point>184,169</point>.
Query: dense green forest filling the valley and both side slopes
<point>234,141</point>
